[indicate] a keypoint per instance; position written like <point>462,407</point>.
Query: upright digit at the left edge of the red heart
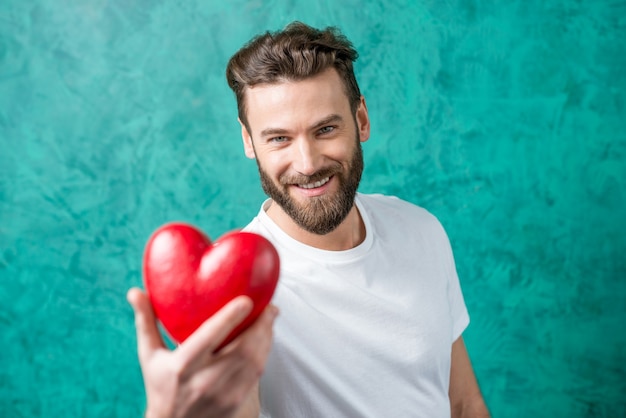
<point>148,336</point>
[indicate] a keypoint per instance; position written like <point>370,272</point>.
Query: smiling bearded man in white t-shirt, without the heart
<point>371,308</point>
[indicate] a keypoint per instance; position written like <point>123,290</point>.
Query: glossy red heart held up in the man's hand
<point>189,279</point>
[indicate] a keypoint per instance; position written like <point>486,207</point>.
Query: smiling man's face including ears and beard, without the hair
<point>307,144</point>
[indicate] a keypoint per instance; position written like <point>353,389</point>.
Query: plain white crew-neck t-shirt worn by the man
<point>365,332</point>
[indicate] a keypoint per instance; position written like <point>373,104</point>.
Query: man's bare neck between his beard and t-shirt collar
<point>349,234</point>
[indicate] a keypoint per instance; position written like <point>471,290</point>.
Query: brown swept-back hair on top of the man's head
<point>295,53</point>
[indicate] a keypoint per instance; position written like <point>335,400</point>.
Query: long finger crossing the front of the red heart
<point>215,329</point>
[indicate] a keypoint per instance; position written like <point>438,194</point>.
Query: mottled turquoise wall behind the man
<point>505,119</point>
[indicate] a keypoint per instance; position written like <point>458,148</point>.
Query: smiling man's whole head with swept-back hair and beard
<point>303,120</point>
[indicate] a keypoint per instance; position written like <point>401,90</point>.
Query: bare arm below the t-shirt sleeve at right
<point>466,401</point>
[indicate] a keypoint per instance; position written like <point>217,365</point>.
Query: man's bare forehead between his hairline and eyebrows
<point>289,102</point>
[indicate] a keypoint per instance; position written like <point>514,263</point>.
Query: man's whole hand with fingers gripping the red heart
<point>194,380</point>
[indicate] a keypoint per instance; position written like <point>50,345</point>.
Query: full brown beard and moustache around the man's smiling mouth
<point>320,214</point>
